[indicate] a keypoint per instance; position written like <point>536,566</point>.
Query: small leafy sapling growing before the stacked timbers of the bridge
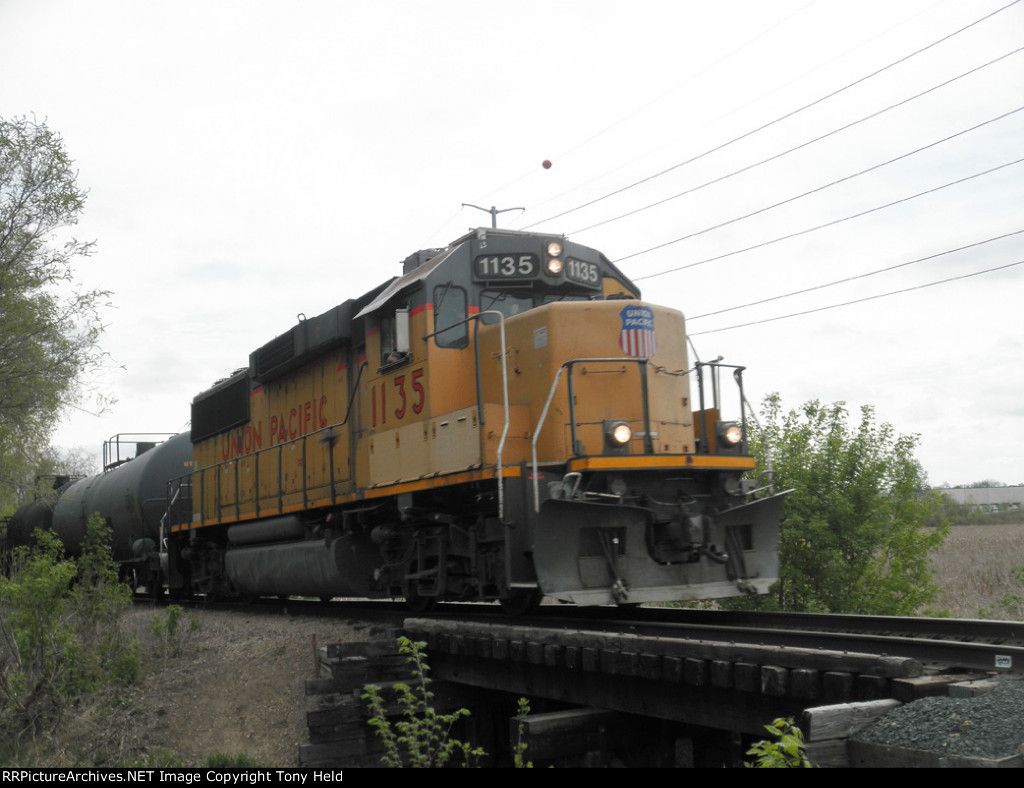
<point>421,738</point>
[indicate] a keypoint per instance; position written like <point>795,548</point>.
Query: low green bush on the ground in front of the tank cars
<point>61,634</point>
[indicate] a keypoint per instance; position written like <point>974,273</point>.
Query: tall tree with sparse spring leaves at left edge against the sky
<point>50,329</point>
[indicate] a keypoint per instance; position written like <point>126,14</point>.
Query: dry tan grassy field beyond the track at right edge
<point>975,571</point>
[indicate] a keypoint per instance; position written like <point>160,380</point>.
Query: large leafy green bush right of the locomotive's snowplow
<point>854,538</point>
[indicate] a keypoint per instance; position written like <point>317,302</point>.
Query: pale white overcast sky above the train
<point>250,161</point>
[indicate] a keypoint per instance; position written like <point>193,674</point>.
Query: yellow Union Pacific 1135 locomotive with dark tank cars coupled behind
<point>505,421</point>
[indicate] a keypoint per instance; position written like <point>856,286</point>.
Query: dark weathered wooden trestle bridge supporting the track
<point>603,696</point>
